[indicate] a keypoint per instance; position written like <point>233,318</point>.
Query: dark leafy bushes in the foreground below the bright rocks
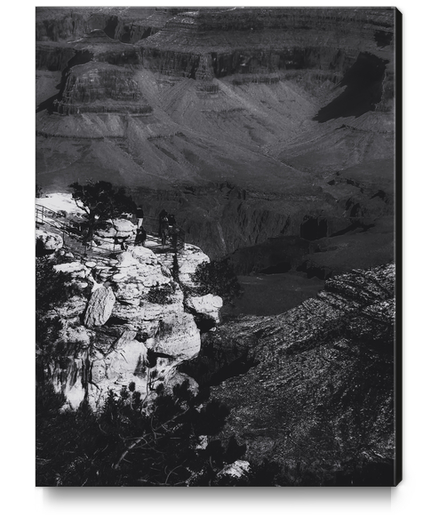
<point>127,445</point>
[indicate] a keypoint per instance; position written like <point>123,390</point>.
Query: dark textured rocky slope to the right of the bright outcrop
<point>315,390</point>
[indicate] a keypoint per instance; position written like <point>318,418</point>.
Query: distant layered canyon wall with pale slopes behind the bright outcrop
<point>174,105</point>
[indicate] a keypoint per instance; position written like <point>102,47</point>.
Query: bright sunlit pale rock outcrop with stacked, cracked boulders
<point>128,320</point>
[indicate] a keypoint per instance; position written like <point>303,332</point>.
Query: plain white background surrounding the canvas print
<point>17,292</point>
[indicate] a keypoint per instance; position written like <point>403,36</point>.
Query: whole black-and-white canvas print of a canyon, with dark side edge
<point>217,246</point>
